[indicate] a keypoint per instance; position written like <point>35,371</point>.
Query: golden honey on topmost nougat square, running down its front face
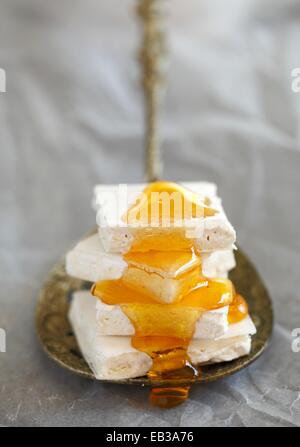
<point>159,216</point>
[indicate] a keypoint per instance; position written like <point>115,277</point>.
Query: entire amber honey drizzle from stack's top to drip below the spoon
<point>163,331</point>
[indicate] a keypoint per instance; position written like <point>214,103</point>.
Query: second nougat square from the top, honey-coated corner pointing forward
<point>89,261</point>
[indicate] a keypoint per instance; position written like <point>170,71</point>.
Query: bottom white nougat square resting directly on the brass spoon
<point>113,357</point>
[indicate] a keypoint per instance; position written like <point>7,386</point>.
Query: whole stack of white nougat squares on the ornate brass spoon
<point>146,285</point>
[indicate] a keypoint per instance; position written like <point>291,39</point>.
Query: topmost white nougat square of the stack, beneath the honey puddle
<point>210,233</point>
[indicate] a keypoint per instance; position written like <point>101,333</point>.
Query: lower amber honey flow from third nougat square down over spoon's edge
<point>169,354</point>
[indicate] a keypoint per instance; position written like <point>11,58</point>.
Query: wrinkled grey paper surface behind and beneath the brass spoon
<point>72,117</point>
